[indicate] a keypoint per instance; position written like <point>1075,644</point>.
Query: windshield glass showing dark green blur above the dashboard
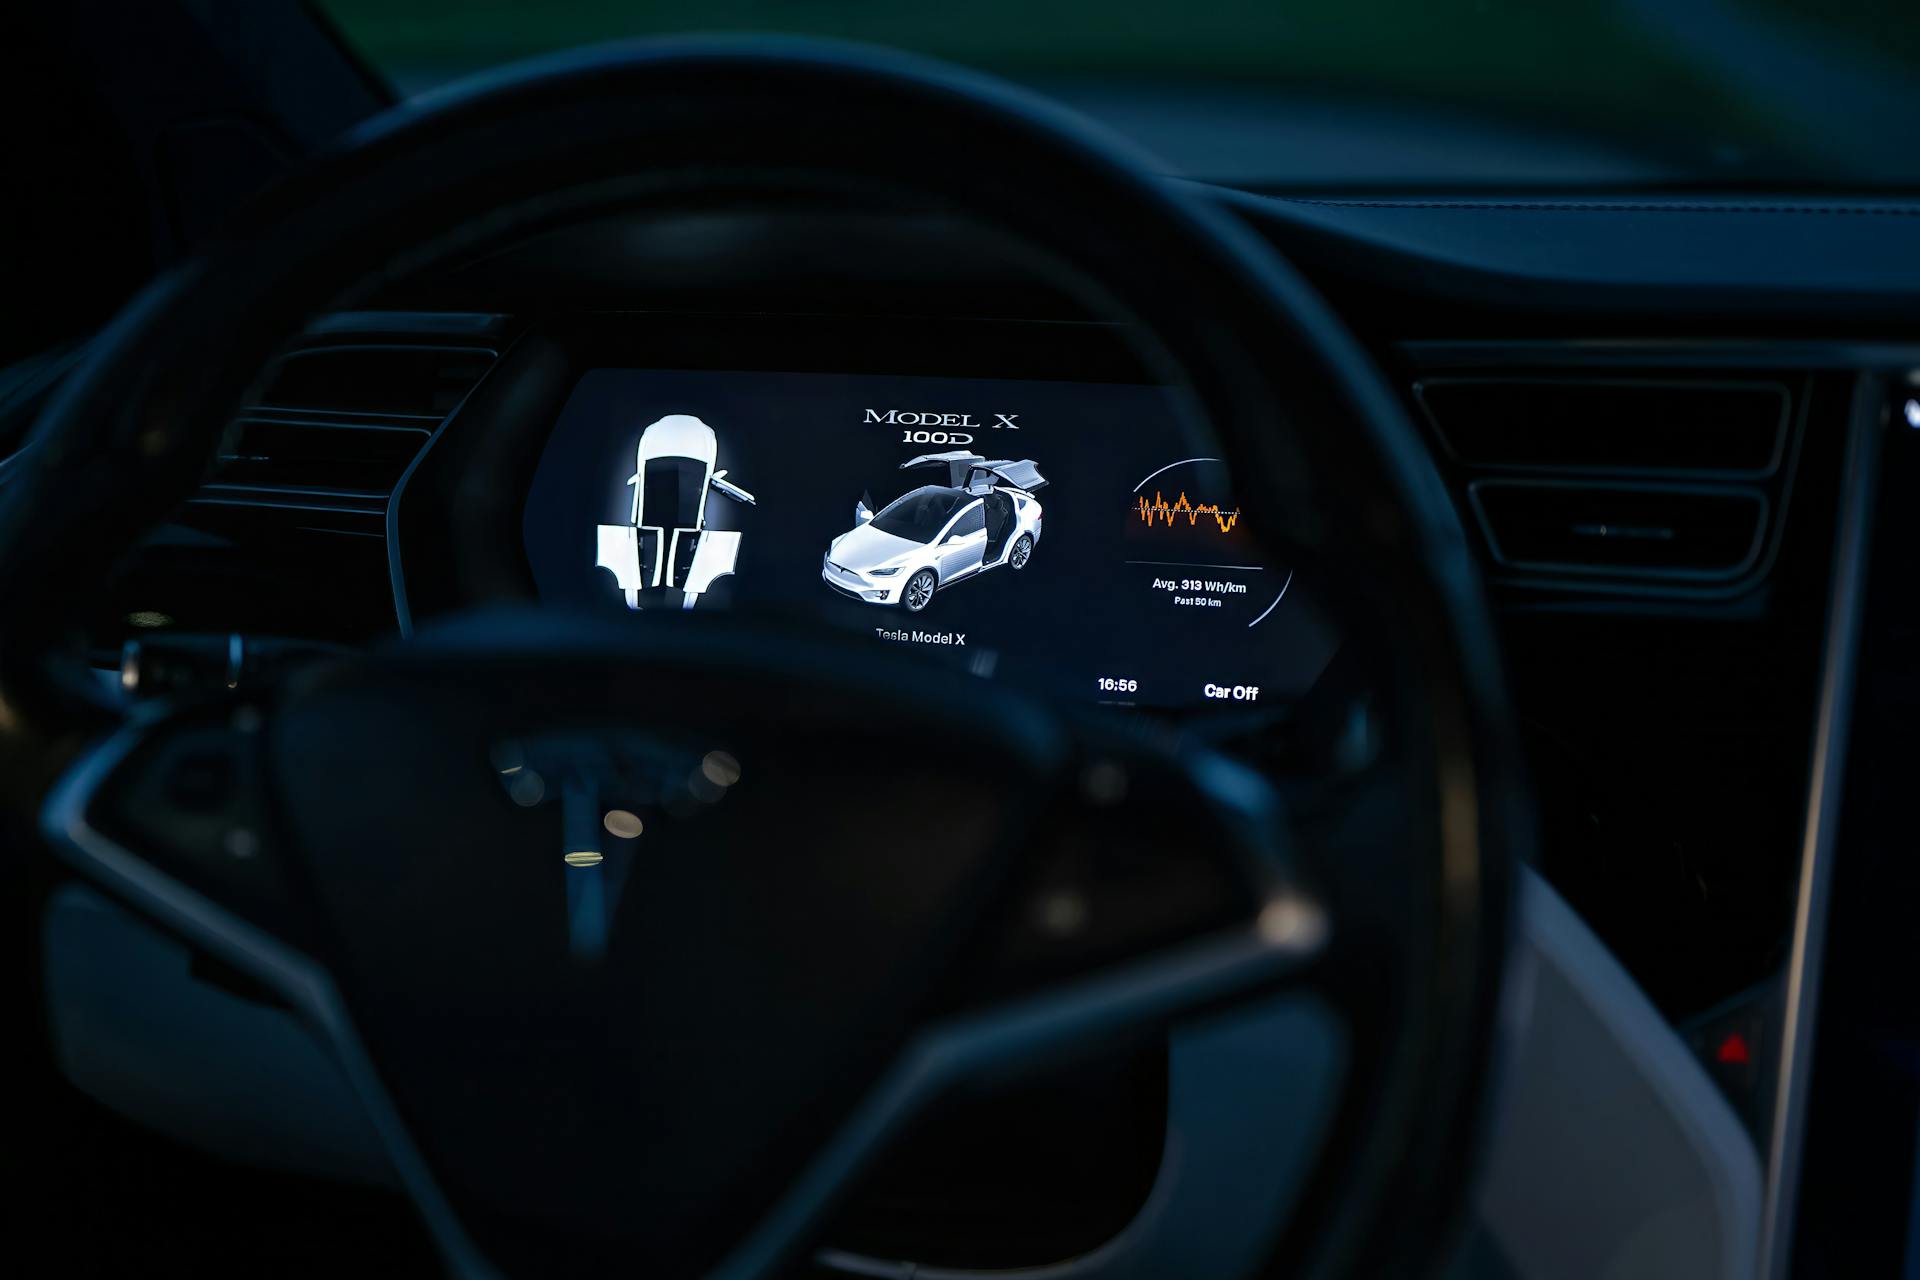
<point>1345,95</point>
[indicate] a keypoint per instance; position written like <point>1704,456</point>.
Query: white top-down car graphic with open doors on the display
<point>667,542</point>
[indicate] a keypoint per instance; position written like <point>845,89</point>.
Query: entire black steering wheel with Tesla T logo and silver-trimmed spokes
<point>796,984</point>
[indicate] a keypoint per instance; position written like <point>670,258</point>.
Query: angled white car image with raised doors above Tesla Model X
<point>984,517</point>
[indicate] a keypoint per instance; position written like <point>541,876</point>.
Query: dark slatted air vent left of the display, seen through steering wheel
<point>289,534</point>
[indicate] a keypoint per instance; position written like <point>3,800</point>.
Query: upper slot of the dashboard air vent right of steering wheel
<point>1621,425</point>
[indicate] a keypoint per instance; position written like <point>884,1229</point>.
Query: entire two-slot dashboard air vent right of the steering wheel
<point>1618,483</point>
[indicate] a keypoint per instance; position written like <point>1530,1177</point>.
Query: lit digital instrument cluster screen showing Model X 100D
<point>1051,534</point>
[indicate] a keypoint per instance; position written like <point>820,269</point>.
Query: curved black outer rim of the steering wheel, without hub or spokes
<point>135,427</point>
